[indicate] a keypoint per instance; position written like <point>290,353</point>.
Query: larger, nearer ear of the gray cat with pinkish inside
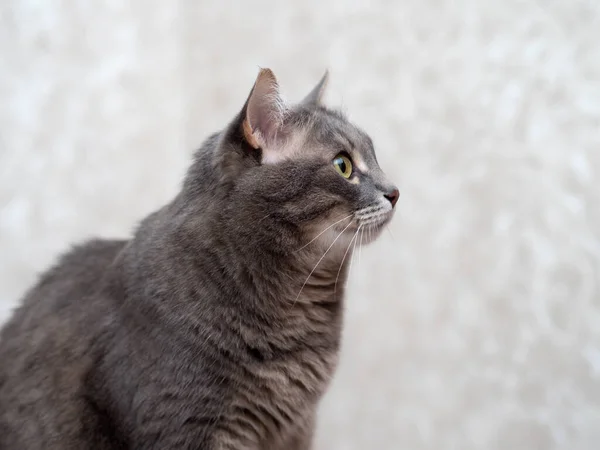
<point>265,110</point>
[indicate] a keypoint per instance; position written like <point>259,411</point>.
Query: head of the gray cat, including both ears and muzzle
<point>301,173</point>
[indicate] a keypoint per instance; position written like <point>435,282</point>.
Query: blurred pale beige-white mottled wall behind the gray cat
<point>475,323</point>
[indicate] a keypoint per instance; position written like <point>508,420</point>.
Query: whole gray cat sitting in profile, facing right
<point>217,326</point>
